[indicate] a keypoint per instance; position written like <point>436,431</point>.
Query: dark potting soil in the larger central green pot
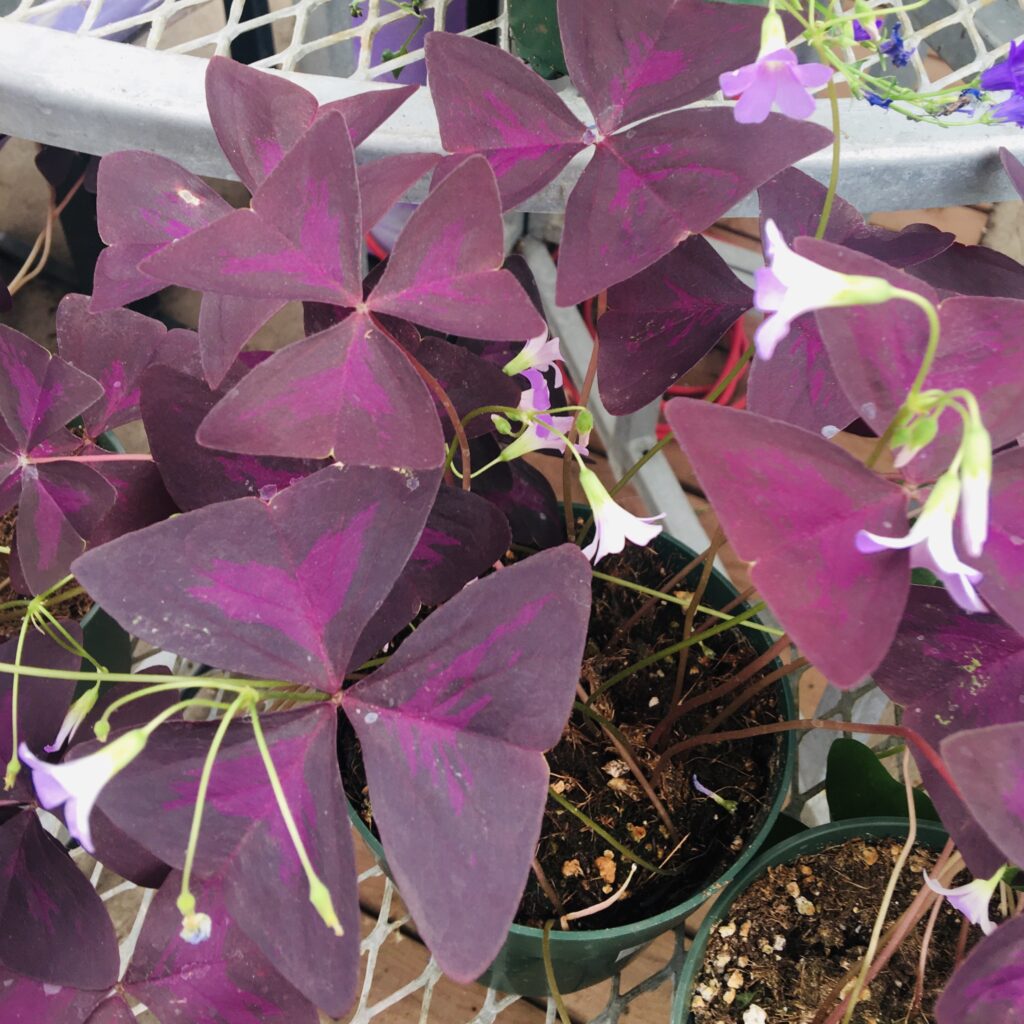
<point>587,770</point>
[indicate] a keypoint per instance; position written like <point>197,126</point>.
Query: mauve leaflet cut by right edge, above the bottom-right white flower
<point>987,765</point>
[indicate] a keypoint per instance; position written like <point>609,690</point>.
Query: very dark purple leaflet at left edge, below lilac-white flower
<point>54,926</point>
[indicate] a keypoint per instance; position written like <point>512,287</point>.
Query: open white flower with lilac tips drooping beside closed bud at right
<point>931,543</point>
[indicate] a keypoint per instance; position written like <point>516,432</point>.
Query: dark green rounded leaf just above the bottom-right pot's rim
<point>858,786</point>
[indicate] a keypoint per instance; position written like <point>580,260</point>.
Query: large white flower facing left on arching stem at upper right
<point>791,286</point>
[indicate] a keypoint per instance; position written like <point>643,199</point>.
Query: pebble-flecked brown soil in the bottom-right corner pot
<point>793,935</point>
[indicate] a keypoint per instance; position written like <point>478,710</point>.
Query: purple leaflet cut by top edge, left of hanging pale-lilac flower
<point>632,61</point>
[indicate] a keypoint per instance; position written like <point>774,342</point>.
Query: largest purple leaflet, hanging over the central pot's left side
<point>452,732</point>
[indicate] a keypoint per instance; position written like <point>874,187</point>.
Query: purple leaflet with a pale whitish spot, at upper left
<point>144,203</point>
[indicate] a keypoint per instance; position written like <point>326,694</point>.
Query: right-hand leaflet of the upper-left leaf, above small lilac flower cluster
<point>446,272</point>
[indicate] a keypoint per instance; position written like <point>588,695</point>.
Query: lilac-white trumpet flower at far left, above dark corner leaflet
<point>77,785</point>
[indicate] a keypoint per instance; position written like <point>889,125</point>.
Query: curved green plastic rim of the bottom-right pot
<point>929,834</point>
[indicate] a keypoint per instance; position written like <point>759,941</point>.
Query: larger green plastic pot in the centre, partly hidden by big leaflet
<point>583,958</point>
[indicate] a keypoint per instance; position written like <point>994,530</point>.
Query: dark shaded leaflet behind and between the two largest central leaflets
<point>465,535</point>
